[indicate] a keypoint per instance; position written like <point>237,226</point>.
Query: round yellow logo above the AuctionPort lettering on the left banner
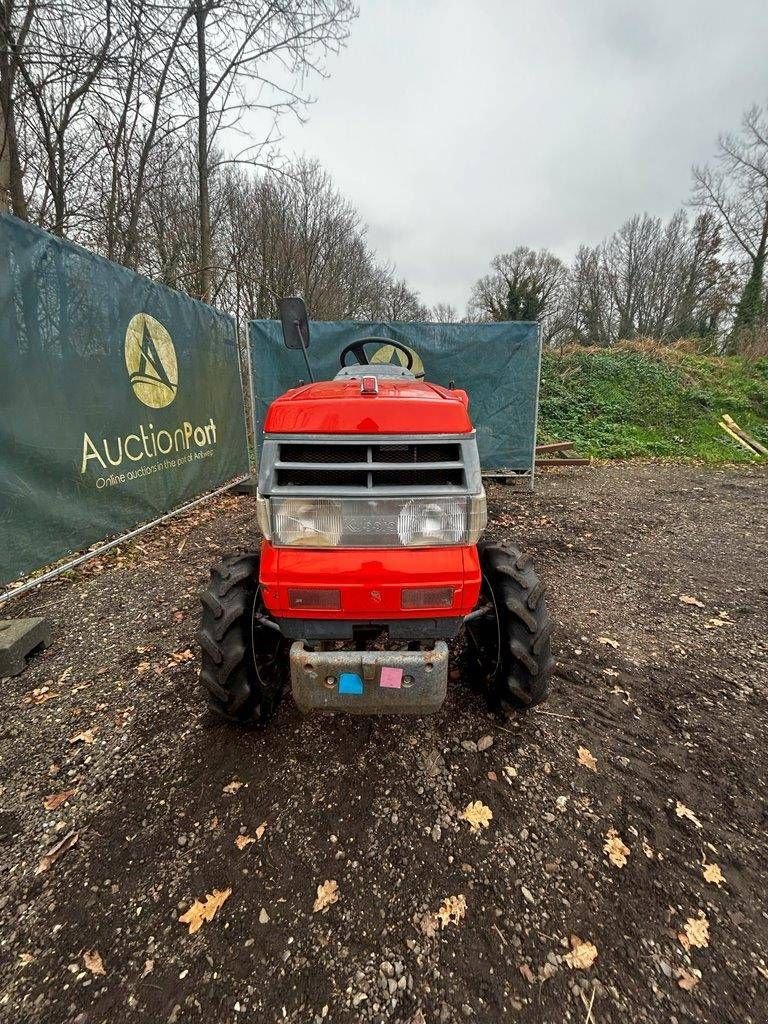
<point>151,360</point>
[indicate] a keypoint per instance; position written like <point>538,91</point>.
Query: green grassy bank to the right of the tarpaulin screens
<point>623,404</point>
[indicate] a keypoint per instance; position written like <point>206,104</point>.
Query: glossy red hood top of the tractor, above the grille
<point>398,407</point>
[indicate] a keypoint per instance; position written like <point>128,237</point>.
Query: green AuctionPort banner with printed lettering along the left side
<point>120,400</point>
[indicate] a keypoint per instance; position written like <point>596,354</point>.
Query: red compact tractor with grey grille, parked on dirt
<point>372,506</point>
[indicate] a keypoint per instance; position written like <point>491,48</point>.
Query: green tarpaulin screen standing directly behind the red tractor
<point>497,364</point>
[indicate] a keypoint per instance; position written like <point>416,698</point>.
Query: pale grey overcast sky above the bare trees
<point>461,131</point>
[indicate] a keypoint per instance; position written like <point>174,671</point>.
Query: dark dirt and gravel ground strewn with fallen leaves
<point>659,581</point>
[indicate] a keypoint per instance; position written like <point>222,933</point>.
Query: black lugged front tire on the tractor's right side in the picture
<point>523,671</point>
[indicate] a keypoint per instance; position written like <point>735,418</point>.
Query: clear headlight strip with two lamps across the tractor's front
<point>376,523</point>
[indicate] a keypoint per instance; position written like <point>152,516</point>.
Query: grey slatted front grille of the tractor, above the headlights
<point>367,466</point>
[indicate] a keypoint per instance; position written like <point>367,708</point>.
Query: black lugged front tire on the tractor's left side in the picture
<point>243,660</point>
